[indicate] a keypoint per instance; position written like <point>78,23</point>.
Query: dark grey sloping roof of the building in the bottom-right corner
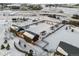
<point>71,50</point>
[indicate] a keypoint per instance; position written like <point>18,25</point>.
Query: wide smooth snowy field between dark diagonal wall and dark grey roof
<point>62,35</point>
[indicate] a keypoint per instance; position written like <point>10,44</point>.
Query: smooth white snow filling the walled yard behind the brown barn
<point>39,28</point>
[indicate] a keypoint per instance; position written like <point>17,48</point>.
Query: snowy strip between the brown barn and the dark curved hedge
<point>37,50</point>
